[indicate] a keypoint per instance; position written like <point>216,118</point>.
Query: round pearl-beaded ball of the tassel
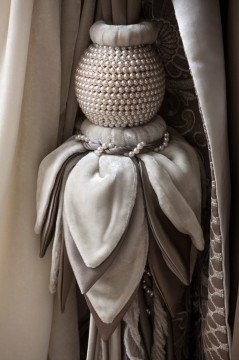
<point>120,86</point>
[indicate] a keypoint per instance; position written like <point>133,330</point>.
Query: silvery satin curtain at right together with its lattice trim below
<point>200,28</point>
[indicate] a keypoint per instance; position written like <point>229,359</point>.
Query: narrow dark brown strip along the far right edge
<point>232,51</point>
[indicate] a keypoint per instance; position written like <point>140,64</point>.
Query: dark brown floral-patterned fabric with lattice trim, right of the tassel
<point>201,331</point>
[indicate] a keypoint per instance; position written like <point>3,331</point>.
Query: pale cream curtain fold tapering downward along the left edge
<point>15,26</point>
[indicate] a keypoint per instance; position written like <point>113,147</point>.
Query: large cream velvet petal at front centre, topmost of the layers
<point>99,198</point>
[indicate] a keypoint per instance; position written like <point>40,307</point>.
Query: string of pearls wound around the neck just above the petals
<point>107,146</point>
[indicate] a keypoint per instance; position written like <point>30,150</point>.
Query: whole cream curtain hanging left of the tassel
<point>30,85</point>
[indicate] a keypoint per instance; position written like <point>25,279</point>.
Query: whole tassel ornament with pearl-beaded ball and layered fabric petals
<point>124,192</point>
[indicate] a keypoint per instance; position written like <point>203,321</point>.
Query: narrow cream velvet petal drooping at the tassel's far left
<point>47,176</point>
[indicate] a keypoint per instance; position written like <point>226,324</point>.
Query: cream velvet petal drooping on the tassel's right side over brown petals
<point>175,177</point>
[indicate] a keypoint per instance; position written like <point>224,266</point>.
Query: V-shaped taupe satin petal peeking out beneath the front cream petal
<point>86,276</point>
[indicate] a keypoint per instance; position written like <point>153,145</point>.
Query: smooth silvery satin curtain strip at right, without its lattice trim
<point>200,29</point>
